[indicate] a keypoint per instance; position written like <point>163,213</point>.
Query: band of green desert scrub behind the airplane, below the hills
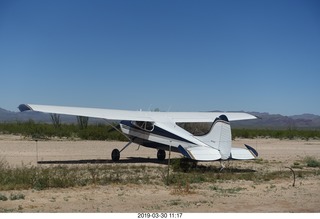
<point>107,132</point>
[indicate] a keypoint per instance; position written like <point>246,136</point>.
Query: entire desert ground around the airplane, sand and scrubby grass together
<point>263,185</point>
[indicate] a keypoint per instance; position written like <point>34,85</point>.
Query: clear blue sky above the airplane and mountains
<point>173,55</point>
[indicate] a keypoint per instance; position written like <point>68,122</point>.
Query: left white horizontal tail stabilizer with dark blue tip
<point>200,153</point>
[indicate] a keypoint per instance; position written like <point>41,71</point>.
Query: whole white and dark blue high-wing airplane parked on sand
<point>159,130</point>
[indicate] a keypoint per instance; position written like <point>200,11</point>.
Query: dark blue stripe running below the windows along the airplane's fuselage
<point>156,131</point>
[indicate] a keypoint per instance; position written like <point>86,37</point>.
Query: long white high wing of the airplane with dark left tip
<point>112,114</point>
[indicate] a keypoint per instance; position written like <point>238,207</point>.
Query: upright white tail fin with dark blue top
<point>219,137</point>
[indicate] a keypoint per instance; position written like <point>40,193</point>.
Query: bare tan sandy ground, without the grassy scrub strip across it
<point>277,195</point>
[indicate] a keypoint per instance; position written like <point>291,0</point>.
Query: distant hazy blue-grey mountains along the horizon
<point>272,121</point>
